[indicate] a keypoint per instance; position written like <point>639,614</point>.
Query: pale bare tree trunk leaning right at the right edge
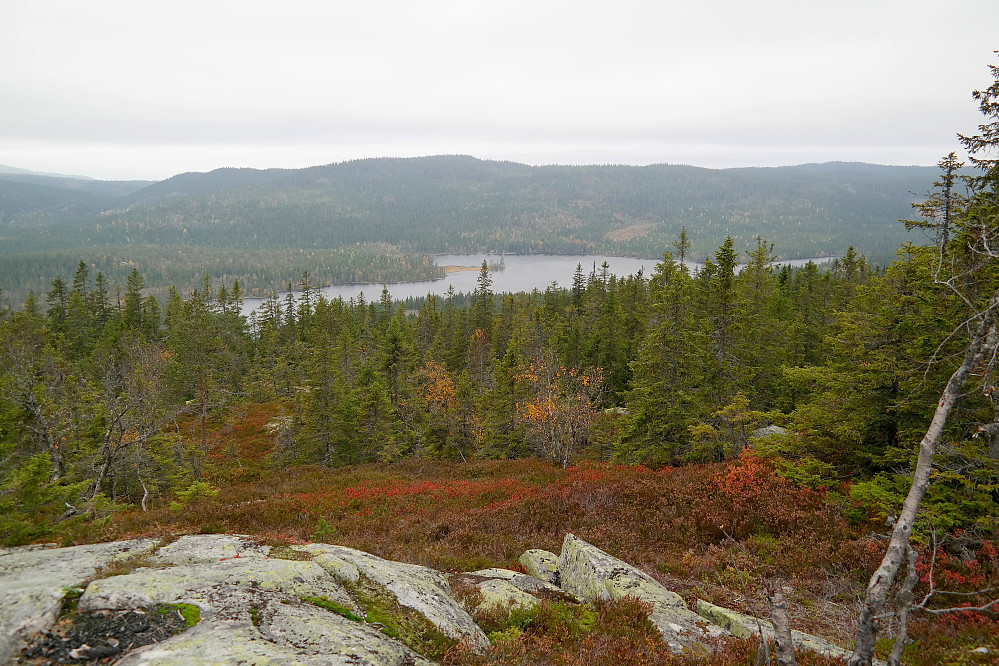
<point>977,356</point>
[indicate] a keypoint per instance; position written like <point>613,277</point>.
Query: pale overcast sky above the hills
<point>128,89</point>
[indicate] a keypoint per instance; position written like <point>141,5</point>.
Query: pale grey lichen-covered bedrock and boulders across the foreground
<point>233,600</point>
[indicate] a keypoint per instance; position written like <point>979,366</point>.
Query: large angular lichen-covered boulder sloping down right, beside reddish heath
<point>592,574</point>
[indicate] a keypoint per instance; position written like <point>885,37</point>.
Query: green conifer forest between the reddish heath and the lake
<point>111,399</point>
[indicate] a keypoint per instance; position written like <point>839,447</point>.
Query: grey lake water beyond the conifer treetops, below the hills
<point>520,273</point>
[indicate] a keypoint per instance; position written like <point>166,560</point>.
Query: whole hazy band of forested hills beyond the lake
<point>453,204</point>
